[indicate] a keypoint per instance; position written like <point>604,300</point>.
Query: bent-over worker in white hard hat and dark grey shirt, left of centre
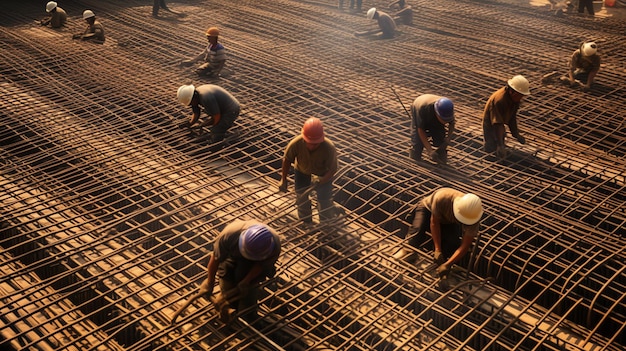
<point>221,107</point>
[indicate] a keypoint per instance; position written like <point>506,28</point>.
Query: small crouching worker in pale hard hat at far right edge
<point>584,64</point>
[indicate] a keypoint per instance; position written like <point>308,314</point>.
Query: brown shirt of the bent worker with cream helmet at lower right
<point>440,203</point>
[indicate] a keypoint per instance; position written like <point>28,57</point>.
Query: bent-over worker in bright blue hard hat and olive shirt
<point>429,116</point>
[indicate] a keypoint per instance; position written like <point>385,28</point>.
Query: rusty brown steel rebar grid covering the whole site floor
<point>109,210</point>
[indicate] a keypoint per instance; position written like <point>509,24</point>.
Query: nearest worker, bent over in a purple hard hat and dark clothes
<point>244,255</point>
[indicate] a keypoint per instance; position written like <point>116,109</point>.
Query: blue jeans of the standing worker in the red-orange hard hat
<point>303,201</point>
